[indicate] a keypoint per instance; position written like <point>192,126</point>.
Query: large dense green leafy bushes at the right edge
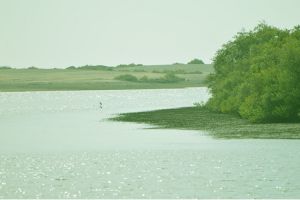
<point>257,75</point>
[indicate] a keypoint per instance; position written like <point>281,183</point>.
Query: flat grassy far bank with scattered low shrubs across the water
<point>99,77</point>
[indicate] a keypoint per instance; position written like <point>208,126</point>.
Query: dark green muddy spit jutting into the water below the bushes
<point>218,125</point>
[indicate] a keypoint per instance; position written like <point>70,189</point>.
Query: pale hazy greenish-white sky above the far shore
<point>62,33</point>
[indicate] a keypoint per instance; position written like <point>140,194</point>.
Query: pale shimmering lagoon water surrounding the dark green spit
<point>61,145</point>
